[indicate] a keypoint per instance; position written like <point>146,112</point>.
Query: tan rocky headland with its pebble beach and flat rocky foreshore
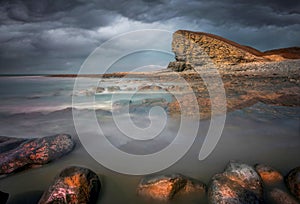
<point>246,75</point>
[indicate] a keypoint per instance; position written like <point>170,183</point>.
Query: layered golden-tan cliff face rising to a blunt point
<point>202,50</point>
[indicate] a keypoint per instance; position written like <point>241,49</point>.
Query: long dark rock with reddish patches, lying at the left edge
<point>35,151</point>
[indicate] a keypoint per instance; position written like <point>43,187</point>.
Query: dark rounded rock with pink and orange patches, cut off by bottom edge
<point>73,185</point>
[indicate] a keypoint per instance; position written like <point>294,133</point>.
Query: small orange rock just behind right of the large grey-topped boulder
<point>268,174</point>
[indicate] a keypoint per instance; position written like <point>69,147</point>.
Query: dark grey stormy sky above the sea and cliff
<point>57,36</point>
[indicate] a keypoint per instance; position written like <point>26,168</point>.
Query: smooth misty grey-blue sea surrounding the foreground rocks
<point>37,106</point>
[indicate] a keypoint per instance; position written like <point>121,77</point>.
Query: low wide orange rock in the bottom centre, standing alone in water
<point>167,186</point>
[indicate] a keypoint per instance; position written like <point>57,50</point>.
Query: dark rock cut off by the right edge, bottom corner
<point>293,181</point>
